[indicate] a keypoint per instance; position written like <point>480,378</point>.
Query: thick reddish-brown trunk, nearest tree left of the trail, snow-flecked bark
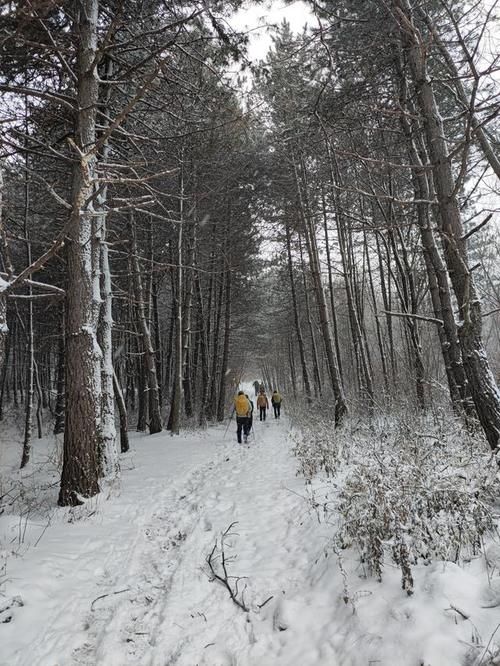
<point>83,361</point>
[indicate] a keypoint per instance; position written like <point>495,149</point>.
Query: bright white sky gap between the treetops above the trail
<point>259,19</point>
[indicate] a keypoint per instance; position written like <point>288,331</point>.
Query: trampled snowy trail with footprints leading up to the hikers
<point>175,614</point>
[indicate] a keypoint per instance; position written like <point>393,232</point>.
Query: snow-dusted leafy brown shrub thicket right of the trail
<point>408,490</point>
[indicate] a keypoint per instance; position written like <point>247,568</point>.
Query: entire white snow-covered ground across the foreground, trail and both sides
<point>124,580</point>
